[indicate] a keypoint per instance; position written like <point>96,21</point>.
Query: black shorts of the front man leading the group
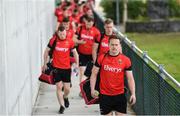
<point>112,103</point>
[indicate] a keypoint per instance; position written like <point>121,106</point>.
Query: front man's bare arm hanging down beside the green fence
<point>131,85</point>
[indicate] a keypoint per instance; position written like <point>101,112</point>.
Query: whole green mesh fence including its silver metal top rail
<point>155,96</point>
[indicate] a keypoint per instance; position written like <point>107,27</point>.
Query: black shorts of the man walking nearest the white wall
<point>63,75</point>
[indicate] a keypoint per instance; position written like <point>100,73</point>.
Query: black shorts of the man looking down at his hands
<point>84,59</point>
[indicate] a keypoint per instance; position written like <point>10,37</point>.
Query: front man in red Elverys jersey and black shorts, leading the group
<point>113,66</point>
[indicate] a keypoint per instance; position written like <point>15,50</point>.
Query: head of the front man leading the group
<point>114,45</point>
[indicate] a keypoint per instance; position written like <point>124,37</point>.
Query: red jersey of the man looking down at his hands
<point>90,36</point>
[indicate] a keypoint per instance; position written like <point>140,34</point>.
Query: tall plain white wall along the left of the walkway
<point>25,27</point>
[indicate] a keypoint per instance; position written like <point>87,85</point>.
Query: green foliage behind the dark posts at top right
<point>137,9</point>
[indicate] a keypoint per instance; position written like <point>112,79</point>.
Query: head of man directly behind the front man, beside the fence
<point>108,26</point>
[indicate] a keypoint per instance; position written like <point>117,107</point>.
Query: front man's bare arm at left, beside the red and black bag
<point>93,78</point>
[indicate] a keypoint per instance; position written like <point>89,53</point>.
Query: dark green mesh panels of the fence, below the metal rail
<point>154,95</point>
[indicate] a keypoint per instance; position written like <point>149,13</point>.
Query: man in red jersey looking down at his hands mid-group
<point>85,38</point>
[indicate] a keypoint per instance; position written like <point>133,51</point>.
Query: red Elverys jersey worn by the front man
<point>112,71</point>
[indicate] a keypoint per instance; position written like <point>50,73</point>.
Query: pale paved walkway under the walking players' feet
<point>47,103</point>
